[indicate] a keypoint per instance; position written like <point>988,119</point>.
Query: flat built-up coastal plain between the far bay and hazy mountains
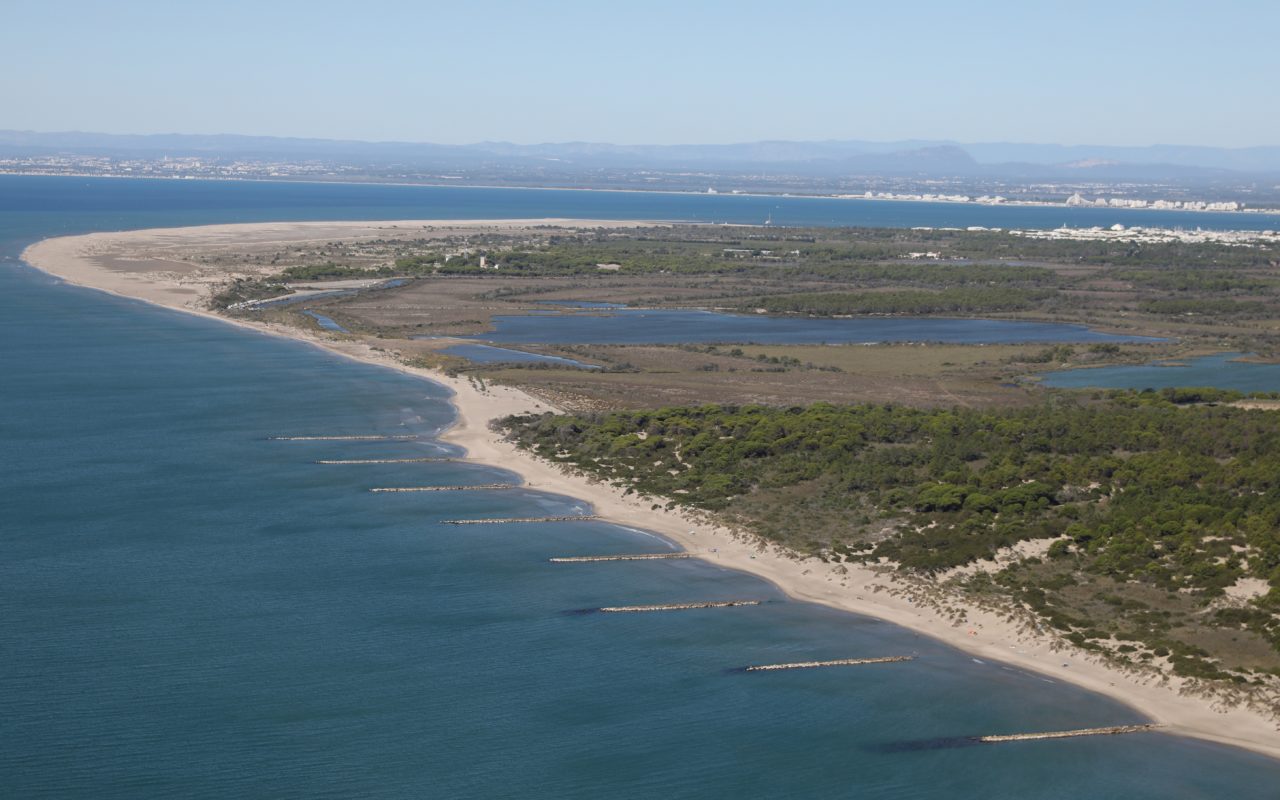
<point>1160,195</point>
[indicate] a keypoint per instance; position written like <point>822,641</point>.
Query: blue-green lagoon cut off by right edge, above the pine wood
<point>1222,372</point>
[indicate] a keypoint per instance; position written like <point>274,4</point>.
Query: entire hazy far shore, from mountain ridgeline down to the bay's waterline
<point>908,170</point>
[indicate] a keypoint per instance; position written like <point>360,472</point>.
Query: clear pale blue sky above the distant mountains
<point>1073,72</point>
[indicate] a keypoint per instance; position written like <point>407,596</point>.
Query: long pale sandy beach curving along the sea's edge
<point>97,260</point>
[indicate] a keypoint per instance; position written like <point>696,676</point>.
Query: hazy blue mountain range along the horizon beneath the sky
<point>826,158</point>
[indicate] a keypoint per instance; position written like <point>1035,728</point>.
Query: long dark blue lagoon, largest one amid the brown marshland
<point>675,327</point>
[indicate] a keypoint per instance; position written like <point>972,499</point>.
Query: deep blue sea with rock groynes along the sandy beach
<point>191,610</point>
